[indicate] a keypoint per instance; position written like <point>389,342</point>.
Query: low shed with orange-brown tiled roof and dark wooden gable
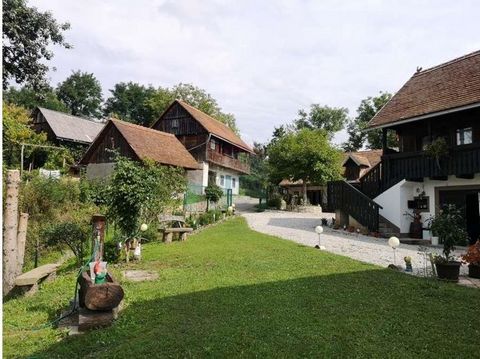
<point>134,142</point>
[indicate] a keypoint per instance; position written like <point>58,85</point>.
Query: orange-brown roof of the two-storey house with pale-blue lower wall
<point>213,126</point>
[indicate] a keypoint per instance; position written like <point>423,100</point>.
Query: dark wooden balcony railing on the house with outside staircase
<point>461,161</point>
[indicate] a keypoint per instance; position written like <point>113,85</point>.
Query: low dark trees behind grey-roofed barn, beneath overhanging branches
<point>29,98</point>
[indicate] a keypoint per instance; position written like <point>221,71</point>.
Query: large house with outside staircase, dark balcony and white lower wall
<point>438,105</point>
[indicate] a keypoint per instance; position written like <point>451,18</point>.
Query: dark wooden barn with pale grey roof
<point>64,129</point>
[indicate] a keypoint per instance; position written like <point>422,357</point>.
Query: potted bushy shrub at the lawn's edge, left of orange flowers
<point>448,226</point>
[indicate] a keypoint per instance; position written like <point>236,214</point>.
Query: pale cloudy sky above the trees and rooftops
<point>263,60</point>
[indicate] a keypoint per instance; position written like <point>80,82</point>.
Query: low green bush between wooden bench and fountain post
<point>71,234</point>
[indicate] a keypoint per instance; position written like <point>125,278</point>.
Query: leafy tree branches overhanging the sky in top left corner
<point>27,36</point>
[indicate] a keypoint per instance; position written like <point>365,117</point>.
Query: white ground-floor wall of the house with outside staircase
<point>395,200</point>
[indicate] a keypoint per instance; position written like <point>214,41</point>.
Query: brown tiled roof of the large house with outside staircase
<point>452,85</point>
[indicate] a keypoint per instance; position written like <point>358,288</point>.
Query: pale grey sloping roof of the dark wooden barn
<point>72,128</point>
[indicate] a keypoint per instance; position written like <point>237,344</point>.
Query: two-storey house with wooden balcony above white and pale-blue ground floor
<point>221,154</point>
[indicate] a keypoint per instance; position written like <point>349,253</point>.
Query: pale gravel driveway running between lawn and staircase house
<point>299,227</point>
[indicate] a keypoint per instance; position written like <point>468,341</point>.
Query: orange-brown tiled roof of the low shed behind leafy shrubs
<point>147,143</point>
